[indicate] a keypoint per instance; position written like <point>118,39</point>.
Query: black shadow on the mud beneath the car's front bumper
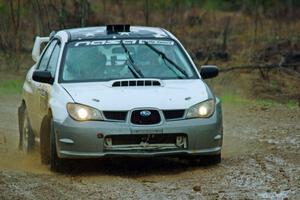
<point>133,167</point>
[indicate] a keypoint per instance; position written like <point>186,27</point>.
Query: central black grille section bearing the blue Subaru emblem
<point>137,117</point>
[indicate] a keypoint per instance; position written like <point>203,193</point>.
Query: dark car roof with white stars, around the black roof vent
<point>101,33</point>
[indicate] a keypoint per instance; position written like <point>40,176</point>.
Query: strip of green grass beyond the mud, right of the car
<point>238,100</point>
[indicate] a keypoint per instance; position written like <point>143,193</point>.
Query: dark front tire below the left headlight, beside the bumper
<point>56,163</point>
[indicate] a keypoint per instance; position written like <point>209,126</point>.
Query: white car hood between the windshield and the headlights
<point>173,94</point>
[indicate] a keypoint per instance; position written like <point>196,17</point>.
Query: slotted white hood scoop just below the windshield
<point>137,83</point>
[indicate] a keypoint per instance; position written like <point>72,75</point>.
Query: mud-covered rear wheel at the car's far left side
<point>26,139</point>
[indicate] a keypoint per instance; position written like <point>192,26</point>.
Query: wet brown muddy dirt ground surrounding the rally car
<point>261,159</point>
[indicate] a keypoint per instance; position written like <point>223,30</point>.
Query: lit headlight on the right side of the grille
<point>203,110</point>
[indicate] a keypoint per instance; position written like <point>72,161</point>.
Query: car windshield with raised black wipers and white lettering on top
<point>104,60</point>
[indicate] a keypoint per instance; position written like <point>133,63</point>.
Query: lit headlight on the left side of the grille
<point>83,113</point>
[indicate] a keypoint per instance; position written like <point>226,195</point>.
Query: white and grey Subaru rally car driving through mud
<point>118,90</point>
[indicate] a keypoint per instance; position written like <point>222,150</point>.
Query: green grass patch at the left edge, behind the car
<point>9,87</point>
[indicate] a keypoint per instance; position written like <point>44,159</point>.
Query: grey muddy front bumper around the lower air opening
<point>81,139</point>
